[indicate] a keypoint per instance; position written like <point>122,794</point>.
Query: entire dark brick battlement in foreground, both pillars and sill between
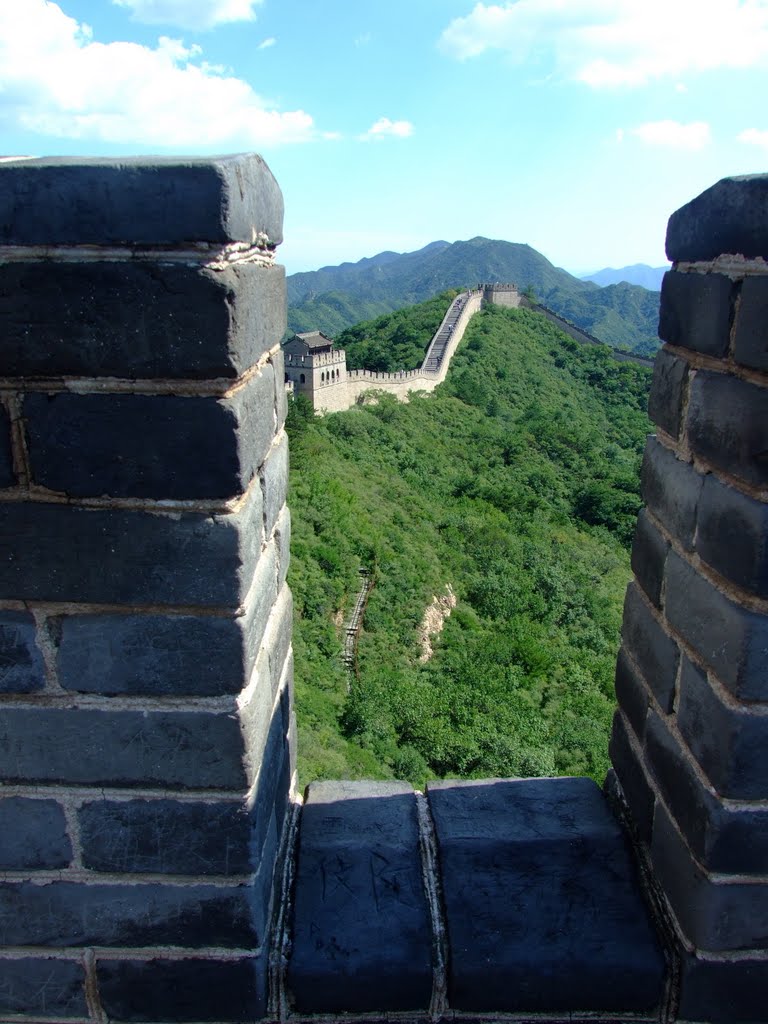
<point>158,865</point>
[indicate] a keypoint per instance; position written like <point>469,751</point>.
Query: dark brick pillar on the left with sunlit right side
<point>146,676</point>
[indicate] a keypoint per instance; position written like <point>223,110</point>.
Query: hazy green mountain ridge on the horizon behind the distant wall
<point>336,297</point>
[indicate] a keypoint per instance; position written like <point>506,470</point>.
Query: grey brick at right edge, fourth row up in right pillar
<point>729,742</point>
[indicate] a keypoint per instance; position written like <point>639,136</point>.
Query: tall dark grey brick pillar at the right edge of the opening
<point>691,738</point>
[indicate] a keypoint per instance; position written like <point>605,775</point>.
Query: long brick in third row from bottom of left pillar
<point>166,837</point>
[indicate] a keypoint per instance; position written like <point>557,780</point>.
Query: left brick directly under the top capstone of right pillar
<point>696,312</point>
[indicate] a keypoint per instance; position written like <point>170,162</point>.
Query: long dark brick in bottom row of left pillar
<point>198,990</point>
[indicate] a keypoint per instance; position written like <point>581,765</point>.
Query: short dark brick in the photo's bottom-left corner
<point>46,988</point>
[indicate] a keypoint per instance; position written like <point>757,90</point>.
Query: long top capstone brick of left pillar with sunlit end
<point>154,201</point>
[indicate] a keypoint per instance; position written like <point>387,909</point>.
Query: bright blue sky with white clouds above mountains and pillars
<point>577,126</point>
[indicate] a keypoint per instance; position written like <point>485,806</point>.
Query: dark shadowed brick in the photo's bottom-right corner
<point>723,992</point>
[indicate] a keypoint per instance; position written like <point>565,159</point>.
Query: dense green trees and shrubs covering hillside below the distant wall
<point>518,484</point>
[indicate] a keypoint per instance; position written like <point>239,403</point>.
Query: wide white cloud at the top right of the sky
<point>617,42</point>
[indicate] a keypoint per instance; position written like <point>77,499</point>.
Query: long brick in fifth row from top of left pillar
<point>153,655</point>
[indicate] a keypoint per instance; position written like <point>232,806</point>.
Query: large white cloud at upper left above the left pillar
<point>56,80</point>
